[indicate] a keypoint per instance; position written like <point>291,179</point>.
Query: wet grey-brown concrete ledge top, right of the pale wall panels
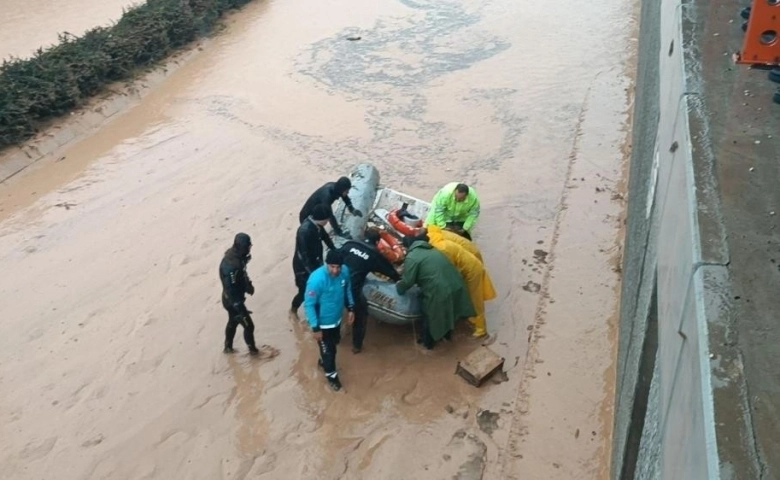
<point>733,125</point>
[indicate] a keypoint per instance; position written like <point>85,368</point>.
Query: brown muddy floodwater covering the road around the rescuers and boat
<point>111,332</point>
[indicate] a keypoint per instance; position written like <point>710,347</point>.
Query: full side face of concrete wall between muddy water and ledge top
<point>664,429</point>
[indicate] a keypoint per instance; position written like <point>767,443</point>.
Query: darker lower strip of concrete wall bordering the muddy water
<point>637,333</point>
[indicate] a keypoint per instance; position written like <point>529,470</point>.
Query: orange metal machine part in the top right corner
<point>762,45</point>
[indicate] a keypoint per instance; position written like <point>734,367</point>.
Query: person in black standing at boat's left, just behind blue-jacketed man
<point>309,238</point>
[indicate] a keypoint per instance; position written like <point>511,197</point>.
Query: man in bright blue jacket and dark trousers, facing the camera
<point>328,292</point>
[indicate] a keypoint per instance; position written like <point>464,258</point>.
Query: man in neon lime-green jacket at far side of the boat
<point>455,207</point>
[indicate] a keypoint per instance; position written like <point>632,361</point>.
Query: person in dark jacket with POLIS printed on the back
<point>363,258</point>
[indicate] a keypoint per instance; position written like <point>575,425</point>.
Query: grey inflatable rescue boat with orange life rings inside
<point>396,215</point>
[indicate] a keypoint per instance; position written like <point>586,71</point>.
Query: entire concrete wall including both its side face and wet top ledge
<point>700,260</point>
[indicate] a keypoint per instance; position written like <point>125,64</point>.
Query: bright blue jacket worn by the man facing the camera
<point>326,297</point>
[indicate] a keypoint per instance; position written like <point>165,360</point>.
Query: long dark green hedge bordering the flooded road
<point>55,81</point>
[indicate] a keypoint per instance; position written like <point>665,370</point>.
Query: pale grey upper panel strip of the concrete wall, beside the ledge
<point>687,423</point>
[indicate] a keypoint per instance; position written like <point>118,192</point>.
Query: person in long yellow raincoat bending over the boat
<point>471,269</point>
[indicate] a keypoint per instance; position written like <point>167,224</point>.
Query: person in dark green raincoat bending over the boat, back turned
<point>445,296</point>
